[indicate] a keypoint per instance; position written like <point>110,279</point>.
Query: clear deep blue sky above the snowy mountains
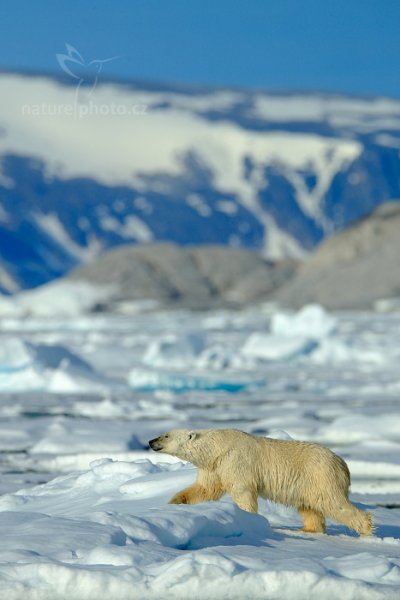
<point>335,45</point>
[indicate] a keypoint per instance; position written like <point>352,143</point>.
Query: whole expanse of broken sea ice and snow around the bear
<point>84,512</point>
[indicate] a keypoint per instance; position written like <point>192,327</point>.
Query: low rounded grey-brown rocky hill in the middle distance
<point>197,277</point>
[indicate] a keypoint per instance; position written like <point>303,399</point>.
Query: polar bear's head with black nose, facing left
<point>182,443</point>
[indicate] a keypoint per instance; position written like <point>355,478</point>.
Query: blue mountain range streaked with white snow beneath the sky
<point>82,170</point>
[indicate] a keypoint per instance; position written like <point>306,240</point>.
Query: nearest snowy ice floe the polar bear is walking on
<point>109,532</point>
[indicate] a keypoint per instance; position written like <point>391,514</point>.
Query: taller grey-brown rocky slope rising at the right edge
<point>354,269</point>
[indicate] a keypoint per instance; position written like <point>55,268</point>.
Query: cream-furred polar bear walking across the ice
<point>304,475</point>
